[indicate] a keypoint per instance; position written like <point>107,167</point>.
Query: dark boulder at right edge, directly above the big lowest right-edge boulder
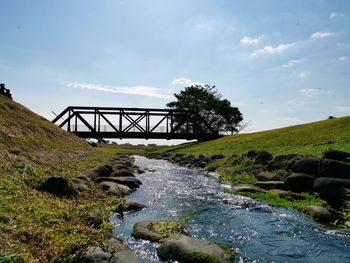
<point>335,169</point>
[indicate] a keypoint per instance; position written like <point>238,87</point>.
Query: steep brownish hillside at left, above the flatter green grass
<point>28,138</point>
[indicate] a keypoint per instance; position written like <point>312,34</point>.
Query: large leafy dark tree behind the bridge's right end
<point>208,103</point>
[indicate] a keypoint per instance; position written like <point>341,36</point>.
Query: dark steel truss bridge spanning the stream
<point>143,123</point>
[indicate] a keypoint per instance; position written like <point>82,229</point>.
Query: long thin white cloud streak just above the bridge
<point>133,90</point>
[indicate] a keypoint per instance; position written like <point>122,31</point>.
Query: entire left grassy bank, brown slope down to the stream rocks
<point>36,226</point>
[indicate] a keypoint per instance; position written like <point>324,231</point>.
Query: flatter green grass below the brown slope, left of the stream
<point>38,226</point>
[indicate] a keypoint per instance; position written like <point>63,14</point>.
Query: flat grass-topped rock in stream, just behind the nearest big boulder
<point>156,231</point>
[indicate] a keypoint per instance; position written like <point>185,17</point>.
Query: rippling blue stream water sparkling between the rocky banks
<point>258,232</point>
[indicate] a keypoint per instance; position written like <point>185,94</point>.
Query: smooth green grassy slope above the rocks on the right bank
<point>312,138</point>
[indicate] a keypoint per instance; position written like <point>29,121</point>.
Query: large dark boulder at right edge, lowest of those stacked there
<point>333,190</point>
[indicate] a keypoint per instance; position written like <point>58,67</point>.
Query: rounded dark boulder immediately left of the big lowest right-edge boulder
<point>299,182</point>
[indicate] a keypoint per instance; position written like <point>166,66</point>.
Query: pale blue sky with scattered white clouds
<point>280,62</point>
